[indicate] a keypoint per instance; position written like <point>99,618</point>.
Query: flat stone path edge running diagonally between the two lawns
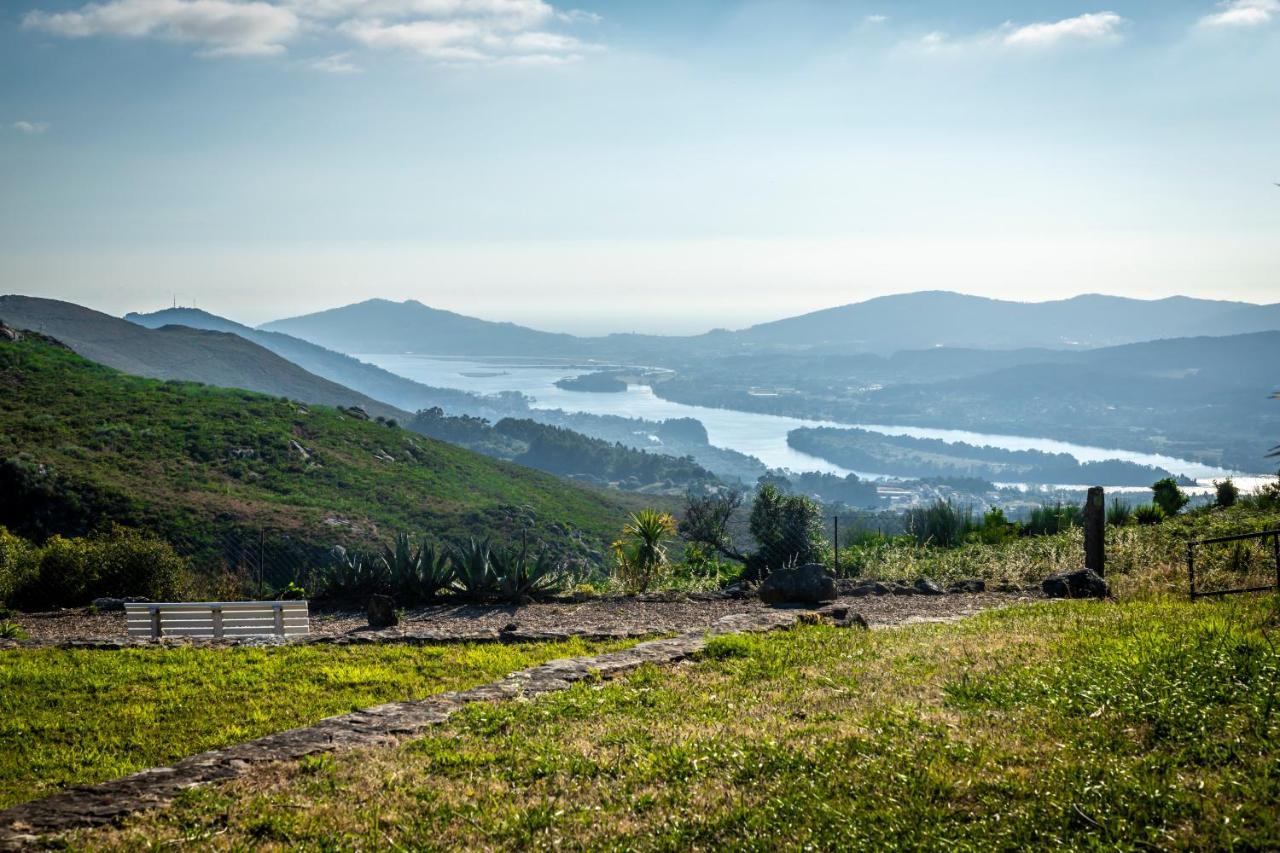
<point>89,806</point>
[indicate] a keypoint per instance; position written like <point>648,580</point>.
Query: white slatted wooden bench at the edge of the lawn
<point>218,619</point>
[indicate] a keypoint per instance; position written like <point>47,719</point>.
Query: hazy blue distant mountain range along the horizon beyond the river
<point>881,326</point>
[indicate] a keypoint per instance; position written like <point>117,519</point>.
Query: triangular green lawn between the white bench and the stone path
<point>81,717</point>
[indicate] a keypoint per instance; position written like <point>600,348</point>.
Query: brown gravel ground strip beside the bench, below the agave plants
<point>601,615</point>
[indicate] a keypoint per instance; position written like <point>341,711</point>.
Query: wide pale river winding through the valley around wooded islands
<point>756,435</point>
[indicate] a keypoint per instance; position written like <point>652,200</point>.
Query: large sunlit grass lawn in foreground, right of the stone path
<point>1137,726</point>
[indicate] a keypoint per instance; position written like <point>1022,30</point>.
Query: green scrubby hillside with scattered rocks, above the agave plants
<point>83,444</point>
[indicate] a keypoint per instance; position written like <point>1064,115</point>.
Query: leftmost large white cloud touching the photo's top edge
<point>223,28</point>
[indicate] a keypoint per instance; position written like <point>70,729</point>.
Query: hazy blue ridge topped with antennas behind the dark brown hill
<point>336,367</point>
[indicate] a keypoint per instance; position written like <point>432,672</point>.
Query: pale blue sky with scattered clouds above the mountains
<point>657,167</point>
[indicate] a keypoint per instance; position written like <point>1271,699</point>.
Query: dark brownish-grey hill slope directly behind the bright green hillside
<point>180,353</point>
